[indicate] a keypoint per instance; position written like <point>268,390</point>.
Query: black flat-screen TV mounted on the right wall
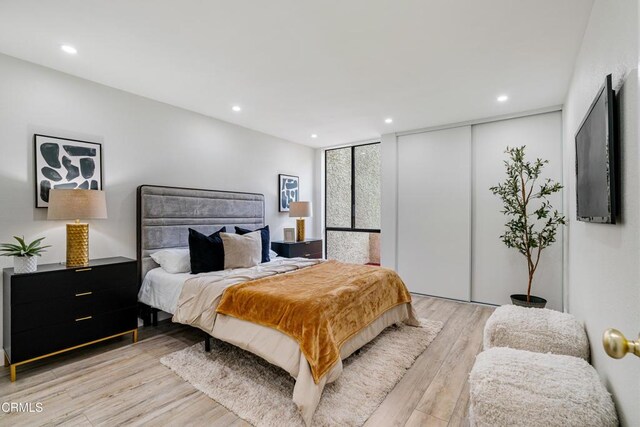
<point>595,160</point>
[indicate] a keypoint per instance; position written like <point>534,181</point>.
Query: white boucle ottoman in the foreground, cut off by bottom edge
<point>520,388</point>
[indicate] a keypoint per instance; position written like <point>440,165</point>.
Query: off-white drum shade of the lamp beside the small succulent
<point>77,204</point>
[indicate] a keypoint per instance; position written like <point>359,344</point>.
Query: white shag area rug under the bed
<point>261,393</point>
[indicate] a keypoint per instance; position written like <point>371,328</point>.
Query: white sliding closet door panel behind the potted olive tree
<point>497,270</point>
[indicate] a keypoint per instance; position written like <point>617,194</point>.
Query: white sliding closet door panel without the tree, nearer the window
<point>434,212</point>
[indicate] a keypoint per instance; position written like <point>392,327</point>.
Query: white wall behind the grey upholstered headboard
<point>144,142</point>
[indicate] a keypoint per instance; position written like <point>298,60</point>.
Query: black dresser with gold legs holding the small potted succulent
<point>57,309</point>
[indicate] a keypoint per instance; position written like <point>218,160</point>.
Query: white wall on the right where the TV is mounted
<point>603,261</point>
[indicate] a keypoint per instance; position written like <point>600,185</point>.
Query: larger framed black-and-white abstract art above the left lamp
<point>65,163</point>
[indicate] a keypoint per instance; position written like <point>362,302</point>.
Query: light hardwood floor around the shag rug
<point>117,383</point>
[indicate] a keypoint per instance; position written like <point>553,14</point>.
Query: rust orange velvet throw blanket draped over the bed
<point>320,307</point>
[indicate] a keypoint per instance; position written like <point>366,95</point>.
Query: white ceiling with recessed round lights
<point>336,68</point>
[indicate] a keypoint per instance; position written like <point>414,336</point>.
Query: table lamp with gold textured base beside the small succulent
<point>77,204</point>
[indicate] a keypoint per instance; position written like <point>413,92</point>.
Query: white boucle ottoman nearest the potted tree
<point>536,329</point>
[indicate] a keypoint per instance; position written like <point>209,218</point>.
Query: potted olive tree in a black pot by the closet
<point>531,221</point>
